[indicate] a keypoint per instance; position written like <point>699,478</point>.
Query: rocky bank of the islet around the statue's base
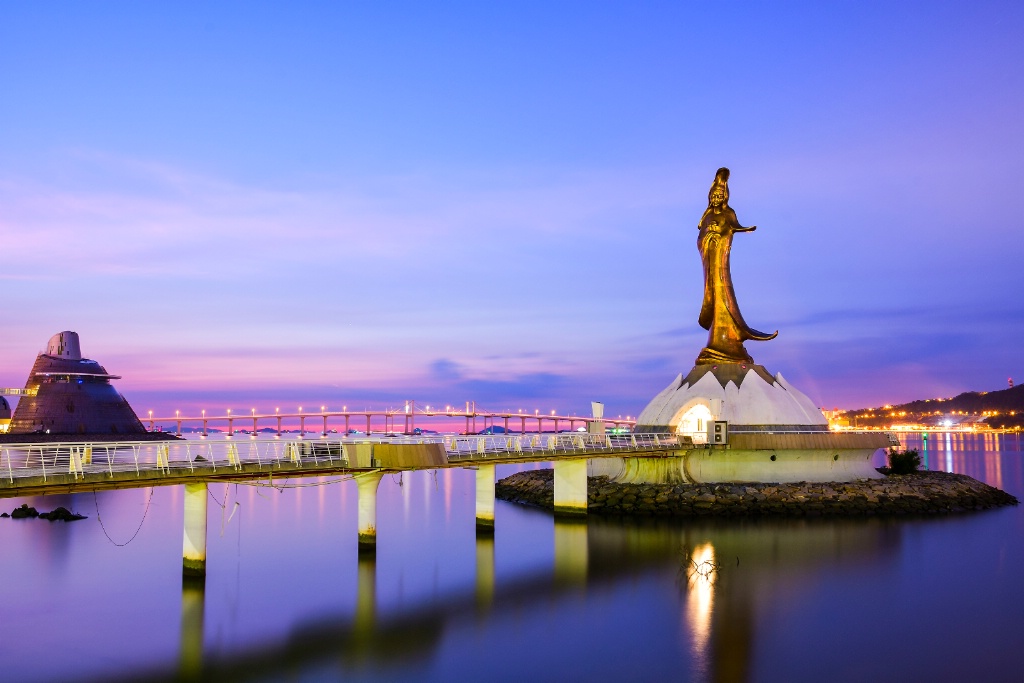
<point>922,493</point>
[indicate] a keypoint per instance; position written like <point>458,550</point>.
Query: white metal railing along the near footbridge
<point>49,460</point>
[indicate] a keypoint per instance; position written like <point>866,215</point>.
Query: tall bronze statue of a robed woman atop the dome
<point>720,314</point>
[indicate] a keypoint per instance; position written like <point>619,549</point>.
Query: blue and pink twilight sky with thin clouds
<point>257,205</point>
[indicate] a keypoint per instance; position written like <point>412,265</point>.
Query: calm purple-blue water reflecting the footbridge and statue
<point>287,597</point>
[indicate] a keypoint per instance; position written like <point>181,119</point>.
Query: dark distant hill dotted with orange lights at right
<point>1003,409</point>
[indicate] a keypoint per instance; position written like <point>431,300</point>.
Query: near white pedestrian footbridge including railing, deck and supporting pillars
<point>39,469</point>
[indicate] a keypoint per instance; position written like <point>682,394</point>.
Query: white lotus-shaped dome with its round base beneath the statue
<point>738,423</point>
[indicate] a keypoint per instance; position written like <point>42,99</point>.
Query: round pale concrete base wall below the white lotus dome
<point>730,466</point>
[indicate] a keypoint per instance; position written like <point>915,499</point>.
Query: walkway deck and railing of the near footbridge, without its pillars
<point>34,469</point>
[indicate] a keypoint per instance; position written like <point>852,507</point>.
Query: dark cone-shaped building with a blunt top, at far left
<point>74,396</point>
